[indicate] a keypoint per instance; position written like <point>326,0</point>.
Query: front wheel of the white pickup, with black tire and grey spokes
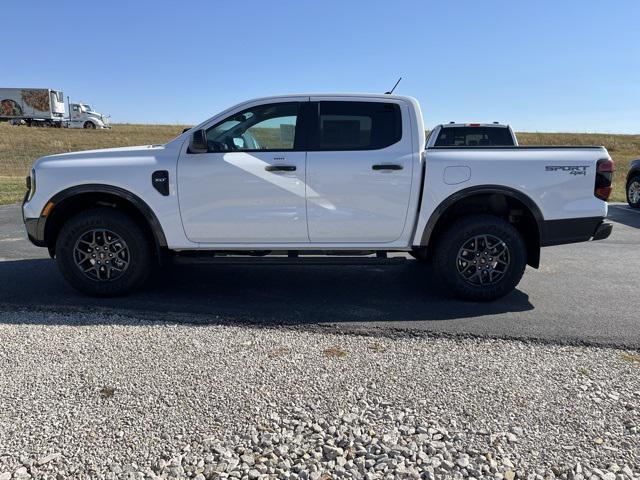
<point>103,252</point>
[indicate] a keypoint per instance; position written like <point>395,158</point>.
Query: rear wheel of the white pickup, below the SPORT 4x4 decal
<point>480,257</point>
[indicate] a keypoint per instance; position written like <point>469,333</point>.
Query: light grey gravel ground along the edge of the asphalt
<point>108,396</point>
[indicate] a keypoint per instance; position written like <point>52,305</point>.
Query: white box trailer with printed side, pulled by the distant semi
<point>33,106</point>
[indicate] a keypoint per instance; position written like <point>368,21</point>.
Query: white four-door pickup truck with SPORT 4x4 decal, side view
<point>309,175</point>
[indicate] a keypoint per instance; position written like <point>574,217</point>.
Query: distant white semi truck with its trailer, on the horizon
<point>44,107</point>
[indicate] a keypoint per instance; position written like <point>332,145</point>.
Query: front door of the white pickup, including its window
<point>249,188</point>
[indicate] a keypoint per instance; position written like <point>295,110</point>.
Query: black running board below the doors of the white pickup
<point>247,260</point>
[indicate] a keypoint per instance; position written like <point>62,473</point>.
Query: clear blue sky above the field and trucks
<point>544,65</point>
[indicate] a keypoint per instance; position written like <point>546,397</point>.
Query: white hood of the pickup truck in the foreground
<point>119,157</point>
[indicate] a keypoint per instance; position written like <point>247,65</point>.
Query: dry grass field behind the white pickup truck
<point>20,146</point>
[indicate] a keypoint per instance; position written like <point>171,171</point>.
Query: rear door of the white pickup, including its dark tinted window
<point>359,171</point>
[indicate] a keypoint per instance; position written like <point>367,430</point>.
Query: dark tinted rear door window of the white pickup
<point>358,125</point>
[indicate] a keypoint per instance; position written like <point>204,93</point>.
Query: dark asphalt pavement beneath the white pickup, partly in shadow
<point>582,293</point>
